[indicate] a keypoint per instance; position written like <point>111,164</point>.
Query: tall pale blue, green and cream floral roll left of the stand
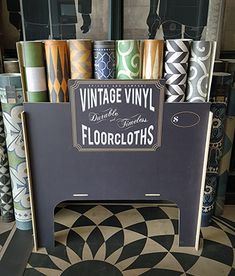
<point>12,107</point>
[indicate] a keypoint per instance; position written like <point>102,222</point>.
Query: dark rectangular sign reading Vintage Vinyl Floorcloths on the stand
<point>116,115</point>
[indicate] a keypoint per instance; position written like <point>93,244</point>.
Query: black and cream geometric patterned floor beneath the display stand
<point>132,240</point>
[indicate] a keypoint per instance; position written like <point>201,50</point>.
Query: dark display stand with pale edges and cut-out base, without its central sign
<point>59,172</point>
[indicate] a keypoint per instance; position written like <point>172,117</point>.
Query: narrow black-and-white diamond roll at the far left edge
<point>6,199</point>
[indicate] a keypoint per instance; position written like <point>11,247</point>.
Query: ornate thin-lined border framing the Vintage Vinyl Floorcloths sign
<point>160,85</point>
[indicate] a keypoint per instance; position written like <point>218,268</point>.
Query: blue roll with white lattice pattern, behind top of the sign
<point>104,59</point>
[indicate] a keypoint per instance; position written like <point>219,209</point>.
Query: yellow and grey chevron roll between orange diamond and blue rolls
<point>81,58</point>
